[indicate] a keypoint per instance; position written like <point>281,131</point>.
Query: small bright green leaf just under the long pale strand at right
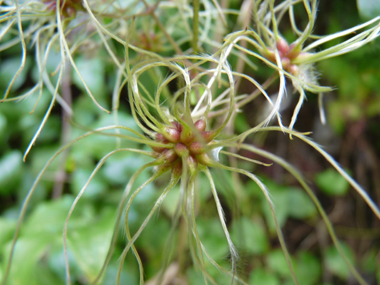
<point>332,183</point>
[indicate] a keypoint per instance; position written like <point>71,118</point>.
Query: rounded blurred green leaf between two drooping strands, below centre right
<point>249,236</point>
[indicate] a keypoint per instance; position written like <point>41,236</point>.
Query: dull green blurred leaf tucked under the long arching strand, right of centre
<point>300,205</point>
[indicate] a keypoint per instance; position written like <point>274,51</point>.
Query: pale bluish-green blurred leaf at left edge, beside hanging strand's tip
<point>10,171</point>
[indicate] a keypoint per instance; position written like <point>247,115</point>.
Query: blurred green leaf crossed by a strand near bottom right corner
<point>335,262</point>
